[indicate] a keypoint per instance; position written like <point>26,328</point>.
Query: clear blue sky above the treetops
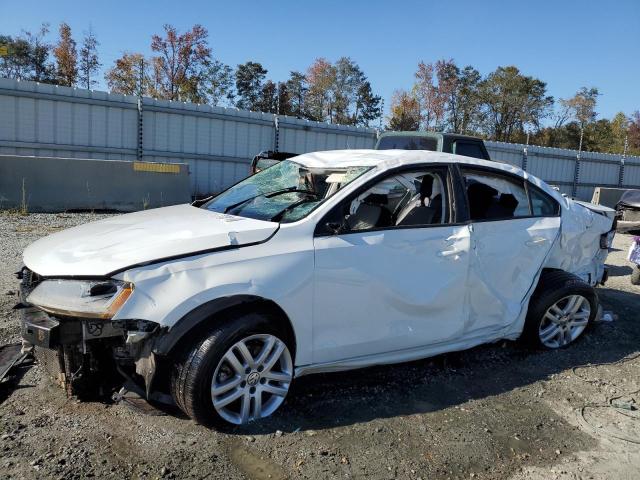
<point>568,44</point>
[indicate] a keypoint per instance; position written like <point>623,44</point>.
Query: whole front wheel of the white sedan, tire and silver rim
<point>239,373</point>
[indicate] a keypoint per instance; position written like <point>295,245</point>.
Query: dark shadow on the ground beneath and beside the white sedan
<point>338,399</point>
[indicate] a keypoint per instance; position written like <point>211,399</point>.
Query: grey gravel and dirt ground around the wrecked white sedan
<point>496,411</point>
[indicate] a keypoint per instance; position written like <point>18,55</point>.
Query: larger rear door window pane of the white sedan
<point>494,196</point>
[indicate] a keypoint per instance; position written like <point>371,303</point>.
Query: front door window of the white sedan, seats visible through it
<point>401,200</point>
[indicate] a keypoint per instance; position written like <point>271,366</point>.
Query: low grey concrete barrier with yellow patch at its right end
<point>48,184</point>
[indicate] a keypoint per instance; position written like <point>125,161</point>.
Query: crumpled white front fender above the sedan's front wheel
<point>192,287</point>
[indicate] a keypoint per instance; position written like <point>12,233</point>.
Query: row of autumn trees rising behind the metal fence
<point>505,104</point>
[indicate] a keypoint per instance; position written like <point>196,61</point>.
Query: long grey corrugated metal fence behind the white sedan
<point>218,143</point>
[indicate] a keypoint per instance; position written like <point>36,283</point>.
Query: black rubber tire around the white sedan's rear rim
<point>552,287</point>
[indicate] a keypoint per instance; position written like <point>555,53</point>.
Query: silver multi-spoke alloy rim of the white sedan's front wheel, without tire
<point>252,379</point>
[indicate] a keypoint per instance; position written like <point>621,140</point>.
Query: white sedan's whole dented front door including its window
<point>380,289</point>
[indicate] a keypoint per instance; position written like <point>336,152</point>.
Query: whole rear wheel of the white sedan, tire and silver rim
<point>560,310</point>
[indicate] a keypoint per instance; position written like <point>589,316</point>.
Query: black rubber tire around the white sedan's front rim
<point>194,365</point>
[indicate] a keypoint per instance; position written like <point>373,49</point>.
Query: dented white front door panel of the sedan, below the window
<point>384,291</point>
